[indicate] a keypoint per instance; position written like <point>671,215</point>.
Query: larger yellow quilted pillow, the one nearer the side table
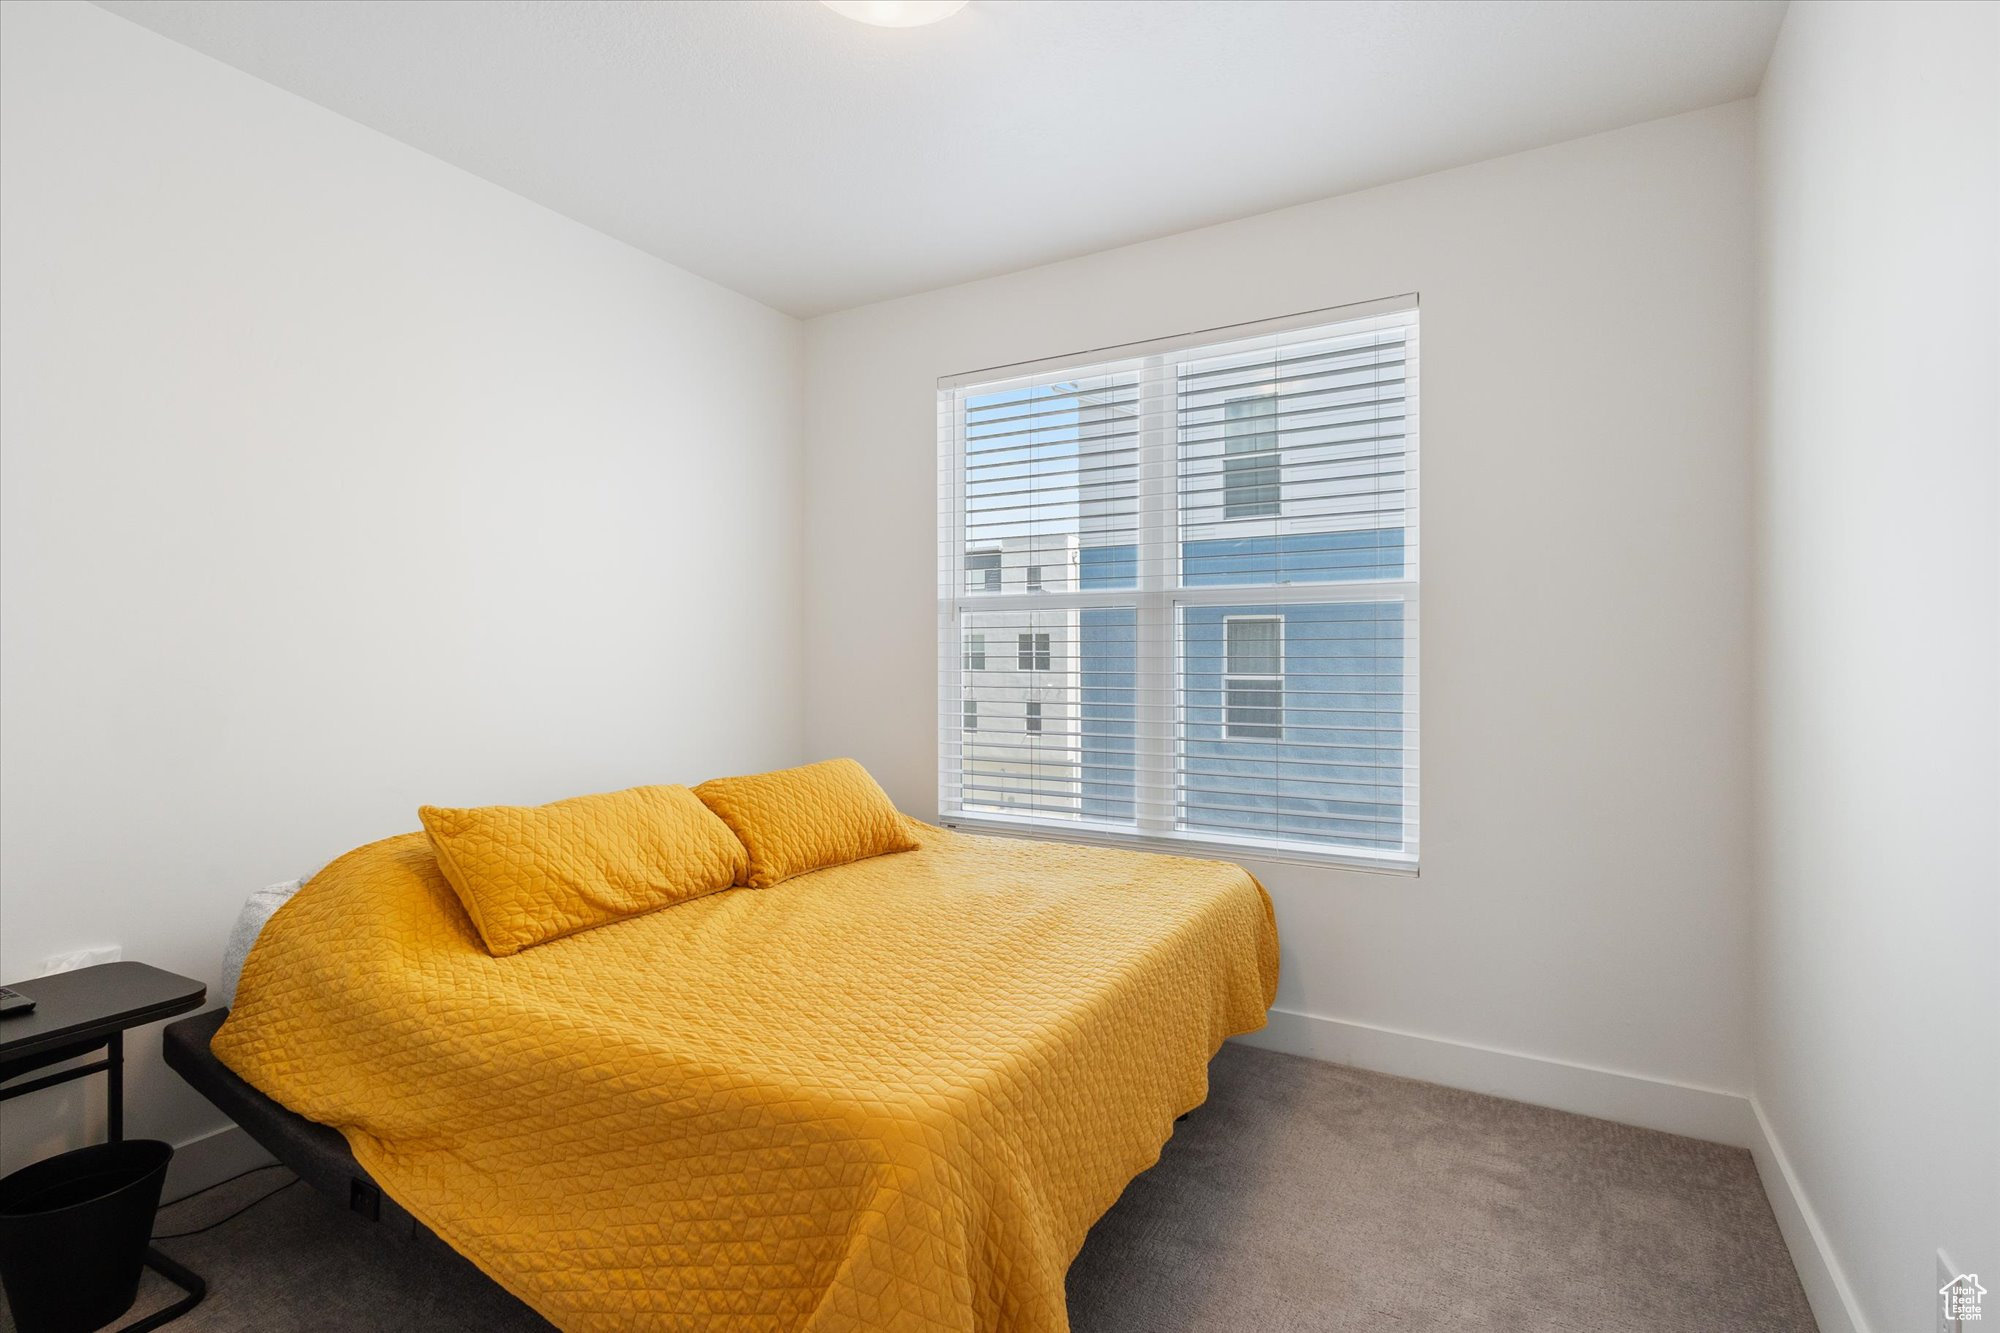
<point>531,874</point>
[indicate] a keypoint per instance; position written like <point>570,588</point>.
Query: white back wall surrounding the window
<point>1587,409</point>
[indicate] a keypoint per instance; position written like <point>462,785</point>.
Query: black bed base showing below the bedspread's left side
<point>315,1152</point>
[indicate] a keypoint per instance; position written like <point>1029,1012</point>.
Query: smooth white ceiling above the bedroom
<point>817,163</point>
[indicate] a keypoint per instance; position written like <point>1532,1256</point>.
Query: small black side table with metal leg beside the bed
<point>81,1014</point>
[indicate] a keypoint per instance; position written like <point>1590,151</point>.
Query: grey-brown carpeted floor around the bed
<point>1303,1198</point>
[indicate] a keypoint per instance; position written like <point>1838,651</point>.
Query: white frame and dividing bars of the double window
<point>1161,597</point>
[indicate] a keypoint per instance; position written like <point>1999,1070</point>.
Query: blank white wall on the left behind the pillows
<point>337,481</point>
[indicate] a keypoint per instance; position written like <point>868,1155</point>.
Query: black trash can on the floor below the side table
<point>75,1230</point>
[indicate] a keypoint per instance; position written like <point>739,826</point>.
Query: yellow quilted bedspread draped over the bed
<point>885,1096</point>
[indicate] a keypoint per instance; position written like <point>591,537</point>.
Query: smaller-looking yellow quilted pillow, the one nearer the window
<point>807,820</point>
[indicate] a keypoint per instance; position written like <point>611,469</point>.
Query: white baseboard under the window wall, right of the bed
<point>1585,1090</point>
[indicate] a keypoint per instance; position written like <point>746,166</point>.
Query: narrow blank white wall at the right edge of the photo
<point>1879,649</point>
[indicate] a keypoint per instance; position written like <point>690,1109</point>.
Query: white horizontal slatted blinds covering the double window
<point>1205,551</point>
